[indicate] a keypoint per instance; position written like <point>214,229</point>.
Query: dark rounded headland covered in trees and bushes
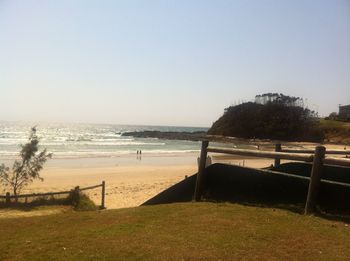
<point>271,116</point>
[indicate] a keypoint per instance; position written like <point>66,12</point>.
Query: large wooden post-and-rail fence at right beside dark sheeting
<point>317,157</point>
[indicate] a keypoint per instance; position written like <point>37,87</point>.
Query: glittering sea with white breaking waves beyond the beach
<point>91,140</point>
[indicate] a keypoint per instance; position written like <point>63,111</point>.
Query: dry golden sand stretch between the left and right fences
<point>126,186</point>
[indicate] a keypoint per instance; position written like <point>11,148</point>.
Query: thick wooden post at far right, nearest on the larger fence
<point>315,179</point>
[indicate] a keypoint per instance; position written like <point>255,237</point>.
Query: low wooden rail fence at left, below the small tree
<point>77,189</point>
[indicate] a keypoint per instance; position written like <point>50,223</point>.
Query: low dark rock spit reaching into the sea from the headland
<point>168,135</point>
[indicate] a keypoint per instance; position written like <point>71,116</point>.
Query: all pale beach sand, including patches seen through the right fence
<point>130,181</point>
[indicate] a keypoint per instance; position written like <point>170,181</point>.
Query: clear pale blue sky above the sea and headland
<point>168,62</point>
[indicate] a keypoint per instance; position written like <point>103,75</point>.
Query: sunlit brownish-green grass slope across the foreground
<point>175,231</point>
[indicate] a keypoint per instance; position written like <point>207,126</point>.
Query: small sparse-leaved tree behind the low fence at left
<point>25,170</point>
